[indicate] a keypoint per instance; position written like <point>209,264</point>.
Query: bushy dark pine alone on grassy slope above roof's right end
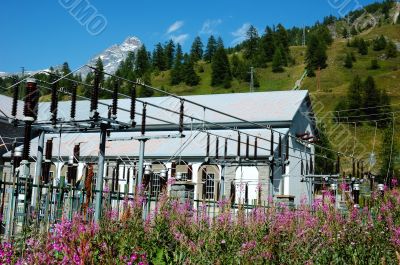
<point>316,55</point>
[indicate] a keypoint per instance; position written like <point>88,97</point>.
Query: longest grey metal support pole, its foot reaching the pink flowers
<point>100,173</point>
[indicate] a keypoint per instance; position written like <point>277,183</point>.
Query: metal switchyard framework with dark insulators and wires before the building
<point>106,126</point>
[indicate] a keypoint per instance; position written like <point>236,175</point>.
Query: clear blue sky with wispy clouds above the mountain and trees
<point>37,34</point>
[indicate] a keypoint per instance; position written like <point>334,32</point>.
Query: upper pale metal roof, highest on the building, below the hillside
<point>255,107</point>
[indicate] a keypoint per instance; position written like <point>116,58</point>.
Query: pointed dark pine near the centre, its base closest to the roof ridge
<point>221,72</point>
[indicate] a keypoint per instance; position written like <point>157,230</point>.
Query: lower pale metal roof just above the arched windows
<point>193,145</point>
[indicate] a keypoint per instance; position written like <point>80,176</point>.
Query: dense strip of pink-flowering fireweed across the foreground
<point>176,233</point>
